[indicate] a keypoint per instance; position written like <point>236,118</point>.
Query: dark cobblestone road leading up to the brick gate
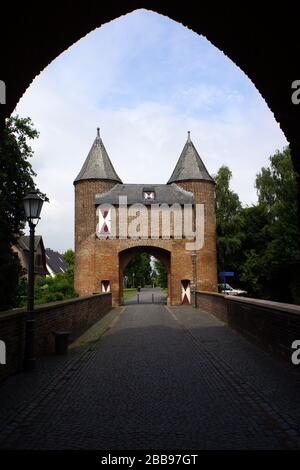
<point>159,378</point>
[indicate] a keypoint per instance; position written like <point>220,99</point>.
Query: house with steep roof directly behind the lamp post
<point>22,249</point>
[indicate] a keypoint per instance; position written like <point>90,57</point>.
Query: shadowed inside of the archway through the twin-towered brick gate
<point>126,255</point>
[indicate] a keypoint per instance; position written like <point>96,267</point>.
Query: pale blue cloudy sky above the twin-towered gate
<point>145,81</point>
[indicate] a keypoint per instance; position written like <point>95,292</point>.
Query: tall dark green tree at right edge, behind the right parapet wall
<point>272,254</point>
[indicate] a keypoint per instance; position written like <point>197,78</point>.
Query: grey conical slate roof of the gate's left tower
<point>97,164</point>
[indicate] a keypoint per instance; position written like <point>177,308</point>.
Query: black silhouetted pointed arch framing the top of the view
<point>264,44</point>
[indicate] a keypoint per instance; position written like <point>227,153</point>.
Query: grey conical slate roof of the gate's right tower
<point>189,166</point>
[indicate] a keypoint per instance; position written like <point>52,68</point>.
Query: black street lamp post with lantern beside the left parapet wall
<point>32,205</point>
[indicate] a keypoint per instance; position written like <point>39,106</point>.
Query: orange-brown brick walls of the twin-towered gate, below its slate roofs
<point>97,260</point>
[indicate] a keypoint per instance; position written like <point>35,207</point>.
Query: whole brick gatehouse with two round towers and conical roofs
<point>103,236</point>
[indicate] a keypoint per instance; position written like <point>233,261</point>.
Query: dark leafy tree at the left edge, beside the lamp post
<point>16,180</point>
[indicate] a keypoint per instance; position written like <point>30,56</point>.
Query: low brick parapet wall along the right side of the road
<point>272,325</point>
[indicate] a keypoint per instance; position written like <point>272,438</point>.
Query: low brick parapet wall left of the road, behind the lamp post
<point>74,315</point>
